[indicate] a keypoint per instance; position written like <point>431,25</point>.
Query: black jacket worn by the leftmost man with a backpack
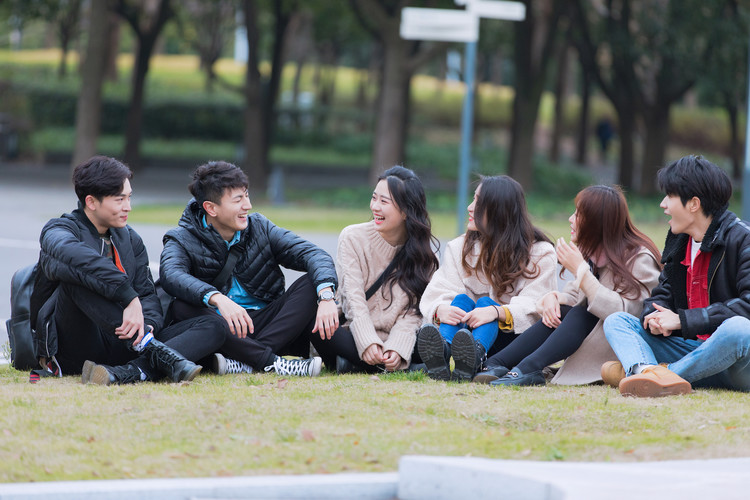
<point>72,252</point>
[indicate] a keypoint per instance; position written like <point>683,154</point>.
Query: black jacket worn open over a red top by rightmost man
<point>728,240</point>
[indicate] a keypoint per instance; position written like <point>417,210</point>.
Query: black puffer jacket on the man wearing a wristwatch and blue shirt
<point>193,257</point>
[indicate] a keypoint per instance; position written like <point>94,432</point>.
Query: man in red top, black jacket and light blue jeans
<point>694,329</point>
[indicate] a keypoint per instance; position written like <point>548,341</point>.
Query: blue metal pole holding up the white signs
<point>467,124</point>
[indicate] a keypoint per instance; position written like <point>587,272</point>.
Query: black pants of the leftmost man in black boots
<point>86,323</point>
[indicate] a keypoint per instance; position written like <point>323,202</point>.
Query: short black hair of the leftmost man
<point>100,176</point>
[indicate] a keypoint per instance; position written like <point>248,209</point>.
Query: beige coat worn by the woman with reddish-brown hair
<point>584,365</point>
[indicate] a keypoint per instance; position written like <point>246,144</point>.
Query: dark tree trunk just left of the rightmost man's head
<point>657,137</point>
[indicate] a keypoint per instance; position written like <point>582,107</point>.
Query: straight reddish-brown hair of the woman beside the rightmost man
<point>604,229</point>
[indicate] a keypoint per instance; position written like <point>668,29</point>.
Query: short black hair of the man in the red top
<point>695,176</point>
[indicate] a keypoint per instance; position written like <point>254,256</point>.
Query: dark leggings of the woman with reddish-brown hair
<point>541,345</point>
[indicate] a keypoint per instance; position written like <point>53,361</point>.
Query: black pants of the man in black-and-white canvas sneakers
<point>282,327</point>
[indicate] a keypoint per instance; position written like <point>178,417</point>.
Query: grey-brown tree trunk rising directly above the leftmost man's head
<point>88,110</point>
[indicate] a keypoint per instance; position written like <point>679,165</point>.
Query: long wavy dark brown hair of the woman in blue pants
<point>504,232</point>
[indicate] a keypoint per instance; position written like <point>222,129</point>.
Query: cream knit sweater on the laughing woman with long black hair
<point>361,258</point>
